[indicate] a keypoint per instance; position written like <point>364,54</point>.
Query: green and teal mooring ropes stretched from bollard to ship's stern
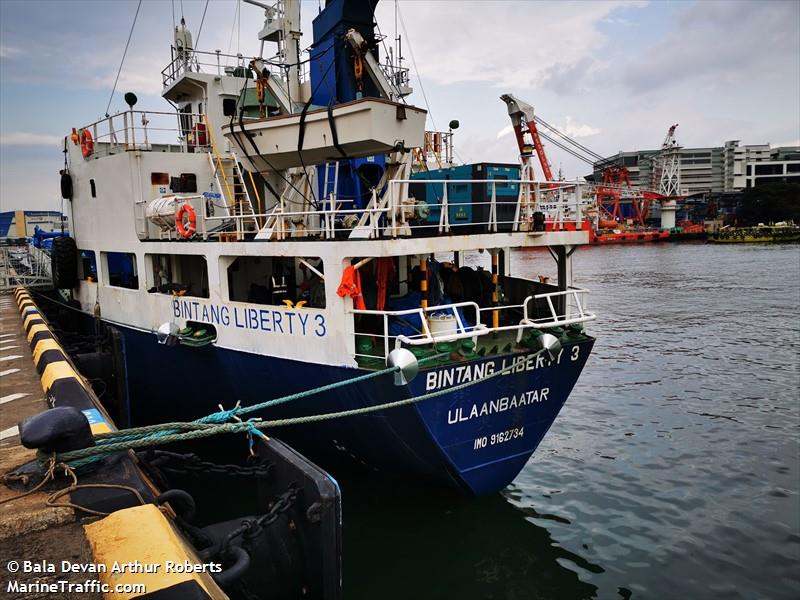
<point>166,433</point>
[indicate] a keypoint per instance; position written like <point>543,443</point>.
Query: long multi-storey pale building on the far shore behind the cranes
<point>728,168</point>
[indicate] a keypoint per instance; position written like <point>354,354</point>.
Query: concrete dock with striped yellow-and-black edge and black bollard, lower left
<point>106,529</point>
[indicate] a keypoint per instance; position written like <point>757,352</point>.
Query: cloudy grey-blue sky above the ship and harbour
<point>612,74</point>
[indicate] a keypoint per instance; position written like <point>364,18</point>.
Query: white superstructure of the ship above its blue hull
<point>212,215</point>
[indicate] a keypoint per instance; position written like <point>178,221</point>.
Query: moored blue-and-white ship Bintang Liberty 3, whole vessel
<point>267,230</point>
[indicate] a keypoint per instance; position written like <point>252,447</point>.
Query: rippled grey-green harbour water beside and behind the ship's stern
<point>672,472</point>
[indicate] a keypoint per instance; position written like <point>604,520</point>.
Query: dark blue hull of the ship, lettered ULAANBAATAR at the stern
<point>477,439</point>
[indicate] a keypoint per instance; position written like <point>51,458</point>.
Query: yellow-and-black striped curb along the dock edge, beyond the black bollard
<point>62,384</point>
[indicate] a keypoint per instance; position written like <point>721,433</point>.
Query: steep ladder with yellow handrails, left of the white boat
<point>231,183</point>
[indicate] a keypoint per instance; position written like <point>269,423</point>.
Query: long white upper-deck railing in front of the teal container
<point>396,213</point>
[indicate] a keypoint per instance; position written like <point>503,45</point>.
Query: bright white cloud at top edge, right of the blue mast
<point>508,49</point>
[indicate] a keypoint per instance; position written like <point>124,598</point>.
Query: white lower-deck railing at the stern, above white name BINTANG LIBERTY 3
<point>565,307</point>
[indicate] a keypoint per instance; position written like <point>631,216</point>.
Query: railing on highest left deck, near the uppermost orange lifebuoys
<point>144,130</point>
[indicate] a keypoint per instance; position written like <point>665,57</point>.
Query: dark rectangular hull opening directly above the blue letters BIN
<point>177,274</point>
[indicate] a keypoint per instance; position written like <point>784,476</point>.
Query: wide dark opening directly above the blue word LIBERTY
<point>277,280</point>
